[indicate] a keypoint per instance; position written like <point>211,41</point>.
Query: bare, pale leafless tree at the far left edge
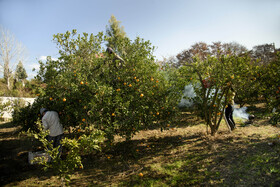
<point>11,51</point>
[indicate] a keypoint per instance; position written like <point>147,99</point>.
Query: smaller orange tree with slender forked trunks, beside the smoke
<point>213,78</point>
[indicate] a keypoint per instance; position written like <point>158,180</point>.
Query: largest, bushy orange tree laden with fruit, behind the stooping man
<point>89,86</point>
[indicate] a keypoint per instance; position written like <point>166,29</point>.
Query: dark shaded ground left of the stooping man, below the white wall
<point>14,165</point>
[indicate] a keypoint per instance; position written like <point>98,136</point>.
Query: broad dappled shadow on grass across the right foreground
<point>229,160</point>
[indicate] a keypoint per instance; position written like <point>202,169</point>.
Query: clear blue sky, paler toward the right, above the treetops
<point>170,25</point>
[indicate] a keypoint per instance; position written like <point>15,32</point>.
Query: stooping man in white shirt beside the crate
<point>51,122</point>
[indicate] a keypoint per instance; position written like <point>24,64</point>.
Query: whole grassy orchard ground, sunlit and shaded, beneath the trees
<point>183,155</point>
